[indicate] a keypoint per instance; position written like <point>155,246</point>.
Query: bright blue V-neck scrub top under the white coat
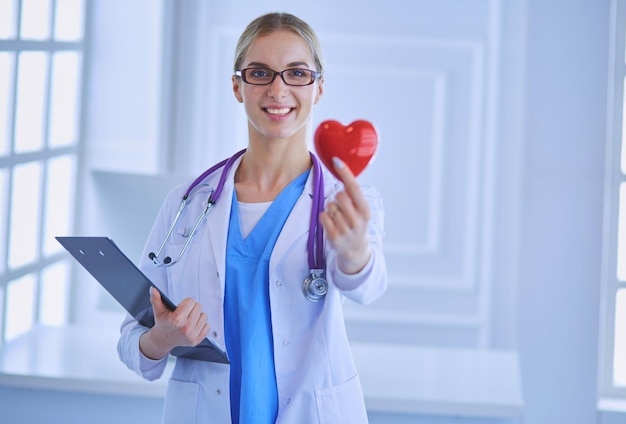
<point>247,318</point>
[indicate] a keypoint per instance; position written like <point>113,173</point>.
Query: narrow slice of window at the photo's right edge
<point>613,322</point>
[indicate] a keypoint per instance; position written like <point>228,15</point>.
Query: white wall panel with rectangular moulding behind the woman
<point>428,81</point>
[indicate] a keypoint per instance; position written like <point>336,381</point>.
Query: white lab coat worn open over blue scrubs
<point>315,373</point>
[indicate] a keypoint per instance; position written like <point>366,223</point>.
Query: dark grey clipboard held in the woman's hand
<point>104,260</point>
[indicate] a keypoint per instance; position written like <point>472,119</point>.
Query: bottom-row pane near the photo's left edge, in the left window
<point>20,315</point>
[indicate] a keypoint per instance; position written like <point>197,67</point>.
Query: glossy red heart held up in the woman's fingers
<point>354,144</point>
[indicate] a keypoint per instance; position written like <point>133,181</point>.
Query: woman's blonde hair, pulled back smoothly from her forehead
<point>266,24</point>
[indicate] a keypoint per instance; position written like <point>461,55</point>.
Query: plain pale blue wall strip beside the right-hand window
<point>567,65</point>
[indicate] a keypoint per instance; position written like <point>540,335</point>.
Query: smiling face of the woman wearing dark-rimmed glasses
<point>278,111</point>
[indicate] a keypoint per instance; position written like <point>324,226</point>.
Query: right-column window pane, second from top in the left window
<point>64,98</point>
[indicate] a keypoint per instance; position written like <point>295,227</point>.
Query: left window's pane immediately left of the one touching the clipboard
<point>25,214</point>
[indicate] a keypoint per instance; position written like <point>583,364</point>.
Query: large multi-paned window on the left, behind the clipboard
<point>41,52</point>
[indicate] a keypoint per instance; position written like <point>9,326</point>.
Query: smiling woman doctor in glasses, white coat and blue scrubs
<point>239,282</point>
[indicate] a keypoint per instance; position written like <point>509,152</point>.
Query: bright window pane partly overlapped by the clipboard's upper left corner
<point>59,201</point>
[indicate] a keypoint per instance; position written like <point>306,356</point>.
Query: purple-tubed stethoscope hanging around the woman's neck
<point>315,285</point>
